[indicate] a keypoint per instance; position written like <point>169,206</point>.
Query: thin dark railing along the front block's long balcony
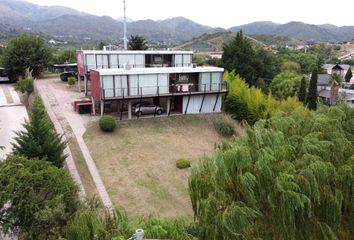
<point>180,89</point>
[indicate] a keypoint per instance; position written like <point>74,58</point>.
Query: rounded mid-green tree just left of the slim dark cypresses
<point>285,84</point>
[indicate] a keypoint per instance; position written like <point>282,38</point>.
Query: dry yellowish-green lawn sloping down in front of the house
<point>138,161</point>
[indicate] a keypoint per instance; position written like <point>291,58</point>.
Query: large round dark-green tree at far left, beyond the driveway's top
<point>26,52</point>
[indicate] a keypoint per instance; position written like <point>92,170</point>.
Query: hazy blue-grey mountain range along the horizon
<point>20,16</point>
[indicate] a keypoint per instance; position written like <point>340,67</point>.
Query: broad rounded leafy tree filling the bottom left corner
<point>35,197</point>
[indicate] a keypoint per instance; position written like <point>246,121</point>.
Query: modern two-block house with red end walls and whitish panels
<point>168,78</point>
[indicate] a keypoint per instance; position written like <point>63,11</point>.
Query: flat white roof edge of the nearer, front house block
<point>160,70</point>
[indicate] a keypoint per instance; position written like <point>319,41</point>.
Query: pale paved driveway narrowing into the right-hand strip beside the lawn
<point>64,111</point>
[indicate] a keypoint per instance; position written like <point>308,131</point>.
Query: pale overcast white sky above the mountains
<point>220,13</point>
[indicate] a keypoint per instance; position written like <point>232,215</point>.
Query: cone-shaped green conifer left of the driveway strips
<point>39,139</point>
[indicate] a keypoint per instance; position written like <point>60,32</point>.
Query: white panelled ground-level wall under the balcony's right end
<point>208,105</point>
